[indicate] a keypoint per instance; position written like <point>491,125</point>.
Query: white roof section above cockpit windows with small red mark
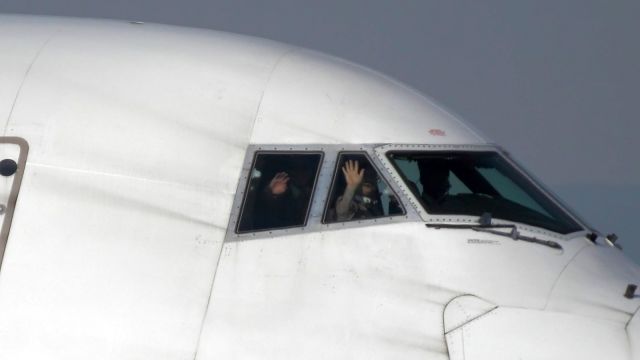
<point>312,98</point>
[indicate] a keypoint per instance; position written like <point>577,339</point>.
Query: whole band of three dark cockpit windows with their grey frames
<point>289,189</point>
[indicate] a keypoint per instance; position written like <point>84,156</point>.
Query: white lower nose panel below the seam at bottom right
<point>507,333</point>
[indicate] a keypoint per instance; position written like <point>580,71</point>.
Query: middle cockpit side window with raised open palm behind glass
<point>359,192</point>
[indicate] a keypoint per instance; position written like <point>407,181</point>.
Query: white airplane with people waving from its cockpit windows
<point>179,193</point>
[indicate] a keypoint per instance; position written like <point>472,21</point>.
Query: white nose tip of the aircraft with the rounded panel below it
<point>591,313</point>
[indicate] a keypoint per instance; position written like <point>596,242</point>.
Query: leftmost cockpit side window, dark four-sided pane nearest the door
<point>279,191</point>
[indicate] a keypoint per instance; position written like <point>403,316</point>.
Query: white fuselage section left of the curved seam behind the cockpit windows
<point>137,137</point>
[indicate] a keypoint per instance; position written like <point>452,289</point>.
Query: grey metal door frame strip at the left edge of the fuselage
<point>15,190</point>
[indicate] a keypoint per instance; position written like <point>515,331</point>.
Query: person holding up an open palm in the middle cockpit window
<point>361,199</point>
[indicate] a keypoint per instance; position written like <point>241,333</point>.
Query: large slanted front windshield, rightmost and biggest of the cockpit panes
<point>474,183</point>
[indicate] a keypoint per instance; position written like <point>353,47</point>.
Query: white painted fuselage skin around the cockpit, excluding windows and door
<point>138,135</point>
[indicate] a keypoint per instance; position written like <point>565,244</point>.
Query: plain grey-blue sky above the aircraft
<point>556,83</point>
